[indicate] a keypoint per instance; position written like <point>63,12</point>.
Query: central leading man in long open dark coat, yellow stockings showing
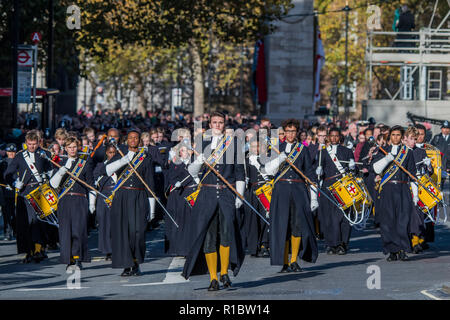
<point>215,227</point>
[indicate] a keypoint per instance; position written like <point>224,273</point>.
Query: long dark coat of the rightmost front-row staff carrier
<point>395,207</point>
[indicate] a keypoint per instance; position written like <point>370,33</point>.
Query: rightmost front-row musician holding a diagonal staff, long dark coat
<point>395,202</point>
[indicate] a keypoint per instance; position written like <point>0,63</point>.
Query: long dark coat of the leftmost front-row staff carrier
<point>73,210</point>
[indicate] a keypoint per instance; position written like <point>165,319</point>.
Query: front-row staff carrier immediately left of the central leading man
<point>131,207</point>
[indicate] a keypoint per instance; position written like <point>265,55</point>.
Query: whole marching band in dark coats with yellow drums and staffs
<point>223,197</point>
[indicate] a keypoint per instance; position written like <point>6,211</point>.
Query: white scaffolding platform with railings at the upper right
<point>413,52</point>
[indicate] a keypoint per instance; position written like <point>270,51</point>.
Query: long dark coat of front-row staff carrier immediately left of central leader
<point>128,215</point>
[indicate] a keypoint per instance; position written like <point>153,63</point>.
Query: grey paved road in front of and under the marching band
<point>331,277</point>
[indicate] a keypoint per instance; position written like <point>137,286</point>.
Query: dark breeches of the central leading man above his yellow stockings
<point>219,230</point>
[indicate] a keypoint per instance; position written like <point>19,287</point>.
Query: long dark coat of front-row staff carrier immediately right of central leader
<point>285,196</point>
